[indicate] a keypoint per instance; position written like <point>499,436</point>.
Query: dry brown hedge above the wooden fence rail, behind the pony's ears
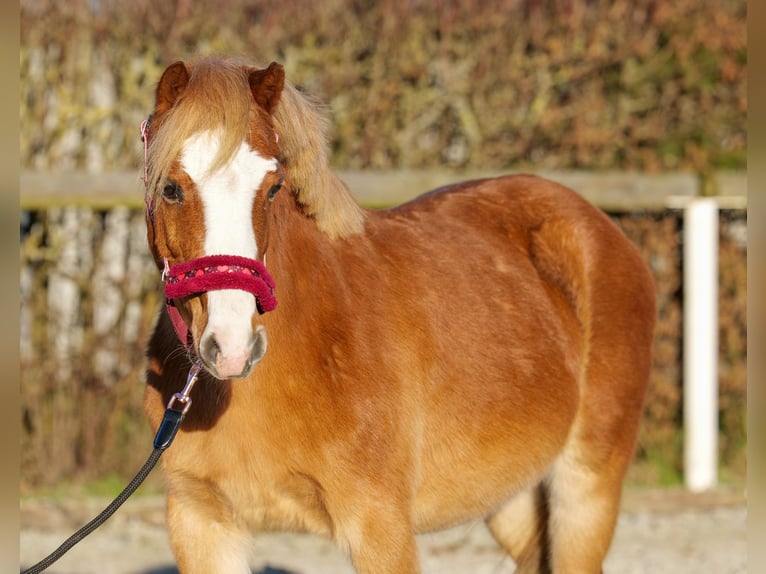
<point>635,84</point>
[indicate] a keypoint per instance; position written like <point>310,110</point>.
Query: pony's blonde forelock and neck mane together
<point>218,97</point>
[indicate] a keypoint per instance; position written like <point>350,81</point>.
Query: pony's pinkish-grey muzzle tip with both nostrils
<point>225,361</point>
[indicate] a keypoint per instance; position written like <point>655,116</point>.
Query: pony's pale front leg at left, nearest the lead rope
<point>203,545</point>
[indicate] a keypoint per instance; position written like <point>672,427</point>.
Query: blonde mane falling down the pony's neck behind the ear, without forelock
<point>302,129</point>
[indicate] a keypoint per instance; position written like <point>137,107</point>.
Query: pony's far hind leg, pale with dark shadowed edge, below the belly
<point>520,526</point>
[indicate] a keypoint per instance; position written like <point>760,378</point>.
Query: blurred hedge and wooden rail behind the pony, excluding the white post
<point>635,103</point>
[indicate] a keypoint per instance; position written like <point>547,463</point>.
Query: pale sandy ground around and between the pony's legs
<point>658,531</point>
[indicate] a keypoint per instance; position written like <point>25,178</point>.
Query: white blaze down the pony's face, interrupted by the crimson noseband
<point>227,196</point>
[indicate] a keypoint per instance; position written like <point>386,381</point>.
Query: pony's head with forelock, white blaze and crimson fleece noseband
<point>212,172</point>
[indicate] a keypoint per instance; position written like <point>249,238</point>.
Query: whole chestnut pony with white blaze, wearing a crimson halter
<point>481,352</point>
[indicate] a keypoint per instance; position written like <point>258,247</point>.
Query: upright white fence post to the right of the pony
<point>701,344</point>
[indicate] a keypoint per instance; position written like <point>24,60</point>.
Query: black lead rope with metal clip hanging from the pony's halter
<point>171,422</point>
